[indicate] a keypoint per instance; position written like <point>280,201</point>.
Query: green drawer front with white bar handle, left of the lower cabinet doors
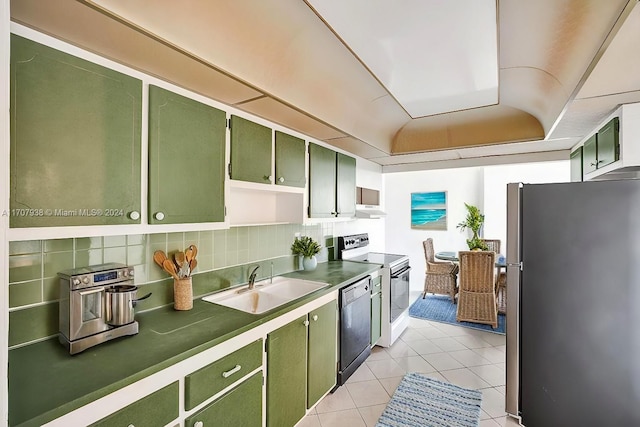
<point>205,382</point>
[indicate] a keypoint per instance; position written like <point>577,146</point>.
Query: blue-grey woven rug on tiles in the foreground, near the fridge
<point>420,401</point>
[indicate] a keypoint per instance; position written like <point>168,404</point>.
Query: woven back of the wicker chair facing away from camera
<point>477,271</point>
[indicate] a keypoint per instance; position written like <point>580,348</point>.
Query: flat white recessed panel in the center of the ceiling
<point>433,56</point>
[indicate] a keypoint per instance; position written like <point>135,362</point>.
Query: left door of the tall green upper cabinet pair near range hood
<point>322,182</point>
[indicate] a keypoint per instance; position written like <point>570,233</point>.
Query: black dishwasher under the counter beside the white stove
<point>355,327</point>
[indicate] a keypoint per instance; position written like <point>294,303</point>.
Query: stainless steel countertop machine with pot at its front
<point>96,305</point>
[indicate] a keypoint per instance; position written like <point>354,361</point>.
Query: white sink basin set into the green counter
<point>266,295</point>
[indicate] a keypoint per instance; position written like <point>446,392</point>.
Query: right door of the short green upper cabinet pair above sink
<point>290,160</point>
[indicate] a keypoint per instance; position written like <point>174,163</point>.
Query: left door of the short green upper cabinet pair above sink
<point>250,151</point>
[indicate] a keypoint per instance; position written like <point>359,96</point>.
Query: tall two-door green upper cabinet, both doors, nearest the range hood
<point>332,183</point>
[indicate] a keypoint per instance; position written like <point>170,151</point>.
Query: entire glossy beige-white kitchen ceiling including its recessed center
<point>409,85</point>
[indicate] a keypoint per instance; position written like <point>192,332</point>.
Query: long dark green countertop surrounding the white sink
<point>45,382</point>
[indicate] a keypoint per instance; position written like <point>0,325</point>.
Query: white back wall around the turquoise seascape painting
<point>484,187</point>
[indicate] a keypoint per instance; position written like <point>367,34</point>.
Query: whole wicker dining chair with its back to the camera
<point>476,294</point>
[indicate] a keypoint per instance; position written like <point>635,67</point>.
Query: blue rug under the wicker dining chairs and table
<point>439,308</point>
